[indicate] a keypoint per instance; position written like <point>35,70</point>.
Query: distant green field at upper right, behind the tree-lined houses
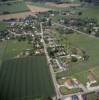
<point>87,12</point>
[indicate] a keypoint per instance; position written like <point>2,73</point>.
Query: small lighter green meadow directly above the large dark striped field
<point>14,48</point>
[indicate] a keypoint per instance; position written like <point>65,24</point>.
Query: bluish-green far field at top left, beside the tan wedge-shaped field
<point>13,7</point>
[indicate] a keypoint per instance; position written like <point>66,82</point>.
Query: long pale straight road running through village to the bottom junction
<point>50,66</point>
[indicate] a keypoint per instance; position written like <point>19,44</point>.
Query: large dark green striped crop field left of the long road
<point>25,78</point>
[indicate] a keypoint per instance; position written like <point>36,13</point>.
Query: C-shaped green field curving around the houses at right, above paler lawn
<point>88,44</point>
